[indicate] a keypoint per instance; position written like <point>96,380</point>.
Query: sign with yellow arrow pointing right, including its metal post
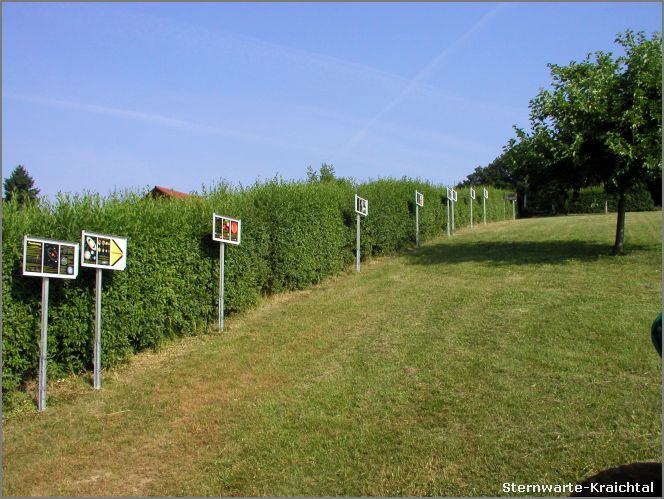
<point>101,251</point>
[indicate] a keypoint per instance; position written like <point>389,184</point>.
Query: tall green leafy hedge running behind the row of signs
<point>294,234</point>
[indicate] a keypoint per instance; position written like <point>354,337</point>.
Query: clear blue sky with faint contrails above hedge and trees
<point>103,96</point>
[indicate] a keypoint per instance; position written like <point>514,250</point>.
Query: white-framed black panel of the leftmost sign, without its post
<point>50,258</point>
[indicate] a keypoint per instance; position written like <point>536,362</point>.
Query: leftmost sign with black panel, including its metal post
<point>47,258</point>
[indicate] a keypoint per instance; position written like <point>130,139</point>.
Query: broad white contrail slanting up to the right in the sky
<point>416,80</point>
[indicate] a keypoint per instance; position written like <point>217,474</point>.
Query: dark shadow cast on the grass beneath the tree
<point>513,252</point>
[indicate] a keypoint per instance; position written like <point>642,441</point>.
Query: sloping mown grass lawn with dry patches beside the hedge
<point>519,351</point>
